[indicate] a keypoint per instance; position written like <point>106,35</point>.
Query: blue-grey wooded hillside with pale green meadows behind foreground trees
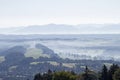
<point>22,62</point>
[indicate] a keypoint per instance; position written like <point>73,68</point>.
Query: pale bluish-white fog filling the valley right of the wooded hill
<point>93,48</point>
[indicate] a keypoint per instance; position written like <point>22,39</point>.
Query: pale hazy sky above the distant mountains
<point>39,12</point>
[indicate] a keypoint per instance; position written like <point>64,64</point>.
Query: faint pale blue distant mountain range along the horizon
<point>64,29</point>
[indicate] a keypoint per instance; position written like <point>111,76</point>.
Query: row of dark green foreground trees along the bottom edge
<point>111,73</point>
